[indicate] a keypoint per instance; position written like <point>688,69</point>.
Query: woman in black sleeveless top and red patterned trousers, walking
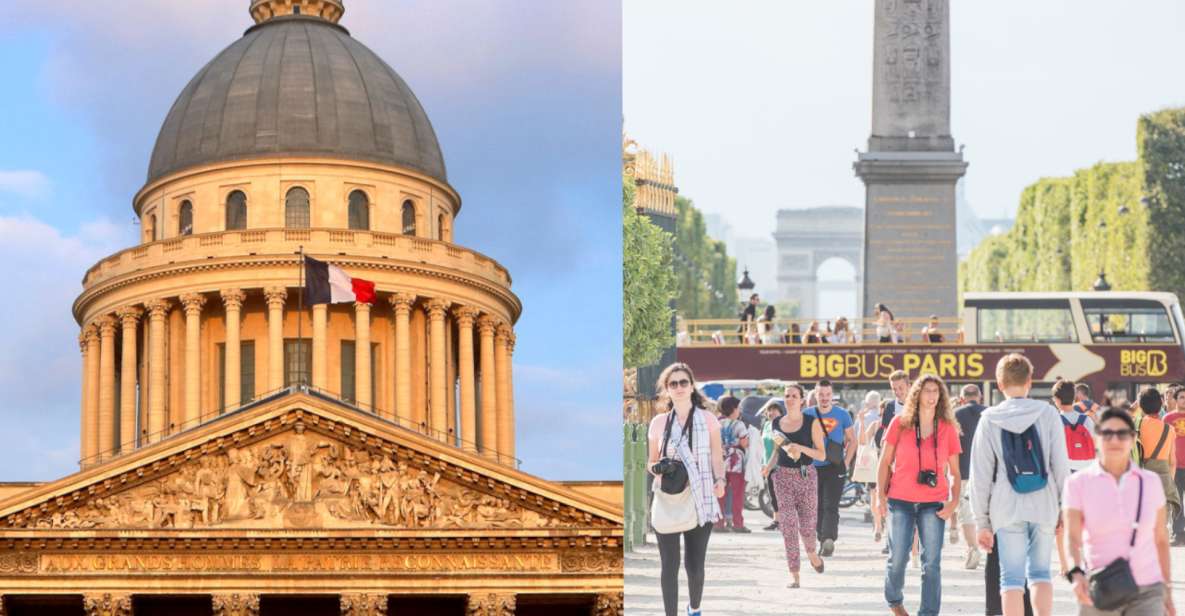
<point>799,439</point>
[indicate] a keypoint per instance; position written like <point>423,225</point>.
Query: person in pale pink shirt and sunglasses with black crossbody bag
<point>1101,506</point>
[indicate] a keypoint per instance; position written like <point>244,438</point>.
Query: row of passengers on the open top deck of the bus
<point>761,328</point>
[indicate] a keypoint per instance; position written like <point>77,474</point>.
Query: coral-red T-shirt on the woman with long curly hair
<point>904,483</point>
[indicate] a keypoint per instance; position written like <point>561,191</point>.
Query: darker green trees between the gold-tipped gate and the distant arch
<point>707,275</point>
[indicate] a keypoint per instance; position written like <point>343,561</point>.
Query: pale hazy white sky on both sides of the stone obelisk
<point>763,104</point>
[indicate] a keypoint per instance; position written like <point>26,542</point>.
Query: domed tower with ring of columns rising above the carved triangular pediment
<point>297,139</point>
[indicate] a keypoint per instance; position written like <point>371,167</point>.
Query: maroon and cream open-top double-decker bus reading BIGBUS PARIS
<point>1114,342</point>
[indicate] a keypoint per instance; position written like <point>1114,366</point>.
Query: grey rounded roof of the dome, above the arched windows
<point>297,86</point>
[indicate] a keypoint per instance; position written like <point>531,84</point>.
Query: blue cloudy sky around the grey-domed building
<point>526,98</point>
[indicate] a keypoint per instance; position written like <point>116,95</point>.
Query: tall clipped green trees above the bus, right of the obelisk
<point>1124,219</point>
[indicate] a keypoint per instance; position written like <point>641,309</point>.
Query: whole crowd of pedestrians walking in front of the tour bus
<point>1098,485</point>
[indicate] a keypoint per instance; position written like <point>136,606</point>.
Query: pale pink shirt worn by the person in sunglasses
<point>1109,510</point>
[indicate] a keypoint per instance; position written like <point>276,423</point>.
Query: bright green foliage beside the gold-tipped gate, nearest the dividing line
<point>649,285</point>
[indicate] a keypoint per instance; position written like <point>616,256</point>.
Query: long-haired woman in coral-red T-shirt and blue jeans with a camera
<point>920,451</point>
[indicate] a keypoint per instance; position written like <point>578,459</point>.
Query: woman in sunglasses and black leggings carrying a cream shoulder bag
<point>695,440</point>
